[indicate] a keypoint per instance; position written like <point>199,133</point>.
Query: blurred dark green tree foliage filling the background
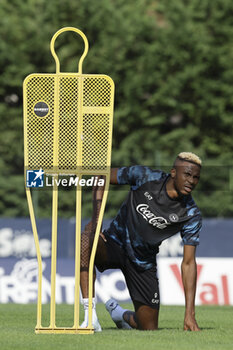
<point>171,61</point>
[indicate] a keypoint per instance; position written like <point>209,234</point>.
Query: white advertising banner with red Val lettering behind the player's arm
<point>214,281</point>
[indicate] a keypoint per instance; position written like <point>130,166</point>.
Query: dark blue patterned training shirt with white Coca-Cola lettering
<point>149,216</point>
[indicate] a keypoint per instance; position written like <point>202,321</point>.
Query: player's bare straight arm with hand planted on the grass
<point>189,278</point>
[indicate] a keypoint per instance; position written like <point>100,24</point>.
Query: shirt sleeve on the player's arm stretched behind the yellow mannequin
<point>137,175</point>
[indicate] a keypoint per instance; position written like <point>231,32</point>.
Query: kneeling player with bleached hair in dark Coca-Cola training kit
<point>157,207</point>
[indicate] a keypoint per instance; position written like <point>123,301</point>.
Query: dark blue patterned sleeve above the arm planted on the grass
<point>191,231</point>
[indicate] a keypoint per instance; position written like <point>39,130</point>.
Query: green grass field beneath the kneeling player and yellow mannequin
<point>17,324</point>
